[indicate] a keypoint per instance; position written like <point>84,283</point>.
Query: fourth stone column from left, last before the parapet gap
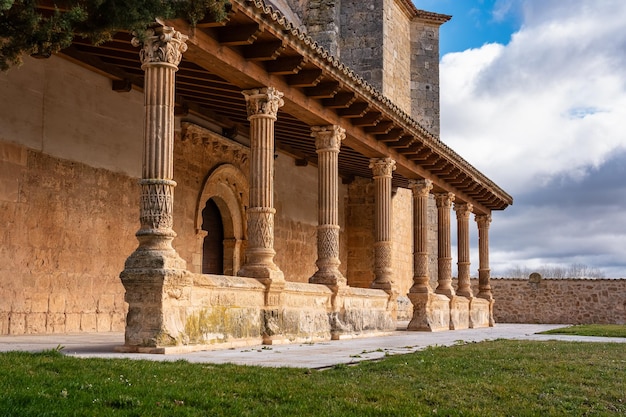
<point>382,169</point>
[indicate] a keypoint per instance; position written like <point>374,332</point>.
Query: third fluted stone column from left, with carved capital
<point>327,142</point>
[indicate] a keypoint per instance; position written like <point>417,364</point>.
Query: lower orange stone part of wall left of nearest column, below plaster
<point>66,230</point>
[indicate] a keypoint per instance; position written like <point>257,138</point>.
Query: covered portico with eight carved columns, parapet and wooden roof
<point>255,77</point>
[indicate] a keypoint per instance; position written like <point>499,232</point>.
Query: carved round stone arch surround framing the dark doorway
<point>228,187</point>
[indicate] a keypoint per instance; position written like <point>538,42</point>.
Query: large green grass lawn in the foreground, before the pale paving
<point>495,378</point>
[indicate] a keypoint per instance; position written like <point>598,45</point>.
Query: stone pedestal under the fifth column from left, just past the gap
<point>431,312</point>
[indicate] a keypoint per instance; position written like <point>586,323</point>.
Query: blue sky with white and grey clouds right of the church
<point>533,94</point>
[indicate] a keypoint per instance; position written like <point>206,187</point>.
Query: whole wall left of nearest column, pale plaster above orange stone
<point>70,153</point>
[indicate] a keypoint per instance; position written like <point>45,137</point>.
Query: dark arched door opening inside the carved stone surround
<point>213,246</point>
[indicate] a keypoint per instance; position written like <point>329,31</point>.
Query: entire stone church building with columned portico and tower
<point>276,176</point>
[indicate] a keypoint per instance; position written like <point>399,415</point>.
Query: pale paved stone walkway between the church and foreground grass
<point>306,355</point>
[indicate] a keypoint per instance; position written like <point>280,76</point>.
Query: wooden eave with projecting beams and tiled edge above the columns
<point>256,47</point>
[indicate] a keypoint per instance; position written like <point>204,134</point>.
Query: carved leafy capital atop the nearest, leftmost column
<point>161,44</point>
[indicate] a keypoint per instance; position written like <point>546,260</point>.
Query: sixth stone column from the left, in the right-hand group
<point>444,258</point>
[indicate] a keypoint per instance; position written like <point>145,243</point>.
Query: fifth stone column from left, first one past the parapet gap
<point>421,277</point>
